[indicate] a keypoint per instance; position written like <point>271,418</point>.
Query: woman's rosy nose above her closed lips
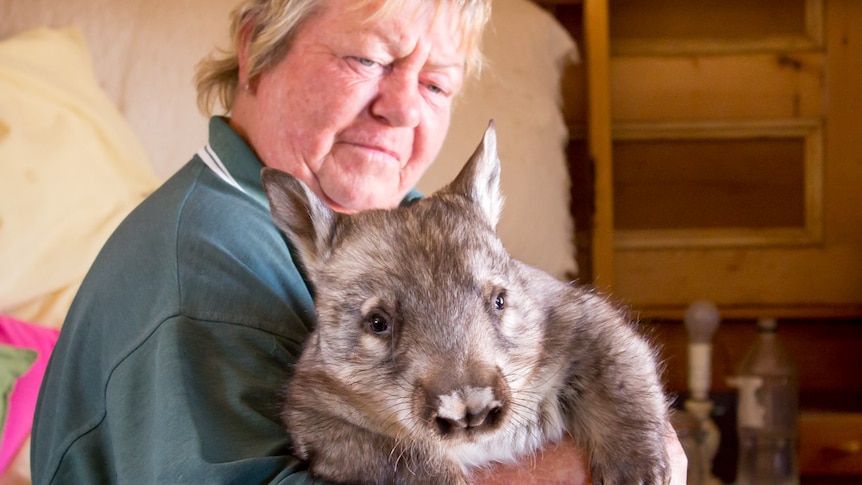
<point>398,100</point>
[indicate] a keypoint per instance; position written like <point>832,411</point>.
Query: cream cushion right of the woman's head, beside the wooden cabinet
<point>527,51</point>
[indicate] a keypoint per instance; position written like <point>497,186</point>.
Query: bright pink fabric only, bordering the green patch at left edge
<point>22,404</point>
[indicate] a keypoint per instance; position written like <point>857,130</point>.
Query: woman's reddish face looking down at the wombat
<point>357,109</point>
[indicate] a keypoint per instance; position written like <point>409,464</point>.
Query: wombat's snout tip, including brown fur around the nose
<point>472,407</point>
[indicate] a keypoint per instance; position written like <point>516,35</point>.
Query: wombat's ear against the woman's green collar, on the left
<point>299,213</point>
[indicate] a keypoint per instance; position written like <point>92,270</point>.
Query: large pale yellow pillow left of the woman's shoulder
<point>71,170</point>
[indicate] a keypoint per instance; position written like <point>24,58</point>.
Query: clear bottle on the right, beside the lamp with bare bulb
<point>767,412</point>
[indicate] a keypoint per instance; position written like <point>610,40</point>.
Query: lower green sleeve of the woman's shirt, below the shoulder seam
<point>197,402</point>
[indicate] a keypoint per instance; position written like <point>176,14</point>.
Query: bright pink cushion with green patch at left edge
<point>24,353</point>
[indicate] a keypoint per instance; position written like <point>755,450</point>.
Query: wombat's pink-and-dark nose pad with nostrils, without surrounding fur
<point>469,409</point>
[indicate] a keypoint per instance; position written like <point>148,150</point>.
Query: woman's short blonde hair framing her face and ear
<point>274,23</point>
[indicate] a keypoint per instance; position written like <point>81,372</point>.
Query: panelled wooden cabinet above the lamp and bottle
<point>726,161</point>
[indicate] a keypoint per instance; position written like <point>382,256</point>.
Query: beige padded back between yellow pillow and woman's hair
<point>144,52</point>
